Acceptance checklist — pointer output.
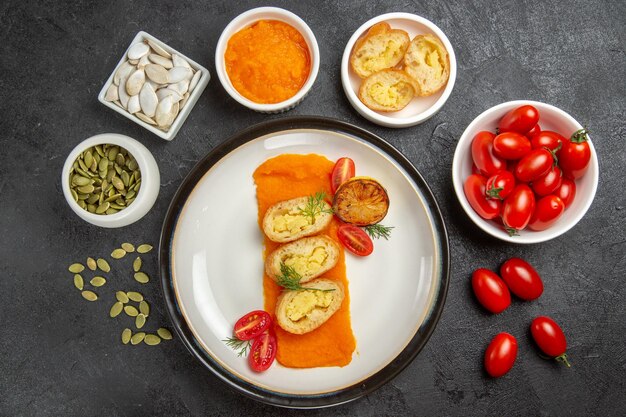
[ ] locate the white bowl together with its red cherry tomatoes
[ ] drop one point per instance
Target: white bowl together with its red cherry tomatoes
(525, 171)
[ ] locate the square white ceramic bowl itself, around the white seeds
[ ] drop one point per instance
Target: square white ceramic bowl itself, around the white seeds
(182, 115)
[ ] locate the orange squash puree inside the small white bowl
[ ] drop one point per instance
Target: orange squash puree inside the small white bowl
(267, 62)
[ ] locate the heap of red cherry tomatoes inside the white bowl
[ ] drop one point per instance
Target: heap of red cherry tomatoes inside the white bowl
(524, 175)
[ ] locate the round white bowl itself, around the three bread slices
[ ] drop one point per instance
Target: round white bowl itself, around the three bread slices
(419, 109)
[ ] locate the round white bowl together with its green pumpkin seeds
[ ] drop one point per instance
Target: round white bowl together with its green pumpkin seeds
(110, 180)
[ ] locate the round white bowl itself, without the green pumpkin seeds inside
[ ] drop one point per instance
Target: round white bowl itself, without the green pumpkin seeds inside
(148, 192)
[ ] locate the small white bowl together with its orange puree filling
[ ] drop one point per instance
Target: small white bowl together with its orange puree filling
(267, 59)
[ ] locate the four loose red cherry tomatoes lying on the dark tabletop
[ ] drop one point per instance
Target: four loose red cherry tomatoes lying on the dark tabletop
(493, 292)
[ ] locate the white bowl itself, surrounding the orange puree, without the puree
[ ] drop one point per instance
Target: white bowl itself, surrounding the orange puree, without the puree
(246, 19)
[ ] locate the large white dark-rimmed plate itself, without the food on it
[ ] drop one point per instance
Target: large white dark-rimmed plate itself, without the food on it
(212, 265)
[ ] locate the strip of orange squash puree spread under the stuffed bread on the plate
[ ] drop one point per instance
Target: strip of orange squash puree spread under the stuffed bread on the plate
(282, 178)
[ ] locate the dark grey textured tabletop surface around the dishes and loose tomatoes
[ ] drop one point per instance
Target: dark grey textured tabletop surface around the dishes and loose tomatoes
(60, 355)
